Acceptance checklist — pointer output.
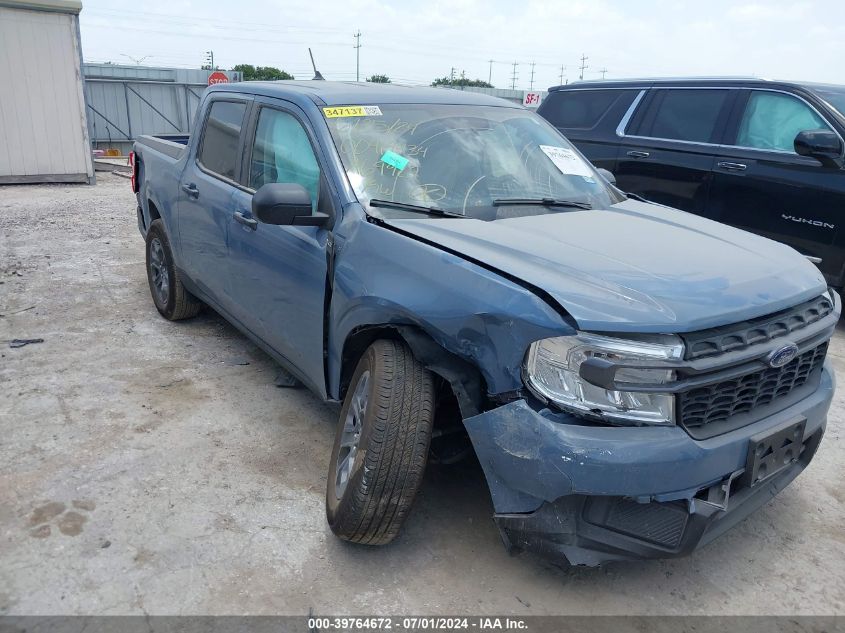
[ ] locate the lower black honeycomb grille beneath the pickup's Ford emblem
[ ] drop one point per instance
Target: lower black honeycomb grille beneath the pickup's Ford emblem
(720, 401)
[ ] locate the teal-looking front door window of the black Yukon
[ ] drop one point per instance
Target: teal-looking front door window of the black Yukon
(772, 120)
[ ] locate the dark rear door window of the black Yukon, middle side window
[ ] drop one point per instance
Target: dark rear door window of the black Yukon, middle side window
(684, 115)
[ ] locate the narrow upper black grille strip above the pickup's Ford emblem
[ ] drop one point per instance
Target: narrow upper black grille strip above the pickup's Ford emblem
(741, 335)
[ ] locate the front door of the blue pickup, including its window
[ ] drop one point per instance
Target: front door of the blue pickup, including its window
(277, 274)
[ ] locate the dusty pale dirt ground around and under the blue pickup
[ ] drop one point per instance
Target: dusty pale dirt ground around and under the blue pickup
(153, 467)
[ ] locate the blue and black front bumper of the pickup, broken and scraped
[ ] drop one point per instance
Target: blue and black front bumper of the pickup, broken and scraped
(594, 494)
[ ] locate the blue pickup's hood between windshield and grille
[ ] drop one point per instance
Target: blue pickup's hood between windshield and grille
(635, 267)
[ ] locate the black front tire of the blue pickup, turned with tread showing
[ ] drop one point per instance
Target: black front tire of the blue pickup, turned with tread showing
(394, 435)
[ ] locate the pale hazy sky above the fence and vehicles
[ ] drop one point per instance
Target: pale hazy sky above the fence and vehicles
(415, 42)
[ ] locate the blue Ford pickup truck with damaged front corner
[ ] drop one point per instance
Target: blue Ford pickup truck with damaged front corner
(633, 379)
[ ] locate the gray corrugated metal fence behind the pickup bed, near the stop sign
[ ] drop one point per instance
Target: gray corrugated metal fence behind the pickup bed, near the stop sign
(125, 102)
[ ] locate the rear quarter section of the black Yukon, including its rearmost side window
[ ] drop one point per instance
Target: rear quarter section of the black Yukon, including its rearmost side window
(588, 118)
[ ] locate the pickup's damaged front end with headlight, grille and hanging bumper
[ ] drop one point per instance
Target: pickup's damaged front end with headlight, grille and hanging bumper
(648, 448)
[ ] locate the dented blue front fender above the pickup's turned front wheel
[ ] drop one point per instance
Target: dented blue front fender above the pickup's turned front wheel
(385, 278)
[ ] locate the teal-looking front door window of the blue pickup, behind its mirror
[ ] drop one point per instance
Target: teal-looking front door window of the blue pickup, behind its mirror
(282, 153)
